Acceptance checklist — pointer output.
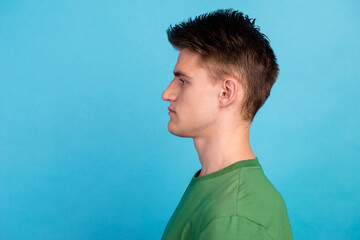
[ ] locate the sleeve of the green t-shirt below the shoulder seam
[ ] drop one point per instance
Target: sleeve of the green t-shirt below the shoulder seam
(234, 227)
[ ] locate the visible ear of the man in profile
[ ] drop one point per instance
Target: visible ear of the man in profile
(229, 91)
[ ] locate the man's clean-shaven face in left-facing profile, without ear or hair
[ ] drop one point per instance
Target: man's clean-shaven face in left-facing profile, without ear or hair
(193, 98)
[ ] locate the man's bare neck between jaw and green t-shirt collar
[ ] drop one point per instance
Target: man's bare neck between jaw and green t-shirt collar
(223, 147)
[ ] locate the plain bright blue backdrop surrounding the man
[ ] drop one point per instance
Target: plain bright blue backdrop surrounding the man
(84, 148)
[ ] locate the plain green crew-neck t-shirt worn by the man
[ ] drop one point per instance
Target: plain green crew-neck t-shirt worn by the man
(236, 202)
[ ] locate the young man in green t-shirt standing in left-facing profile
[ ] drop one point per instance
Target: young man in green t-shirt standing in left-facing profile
(223, 75)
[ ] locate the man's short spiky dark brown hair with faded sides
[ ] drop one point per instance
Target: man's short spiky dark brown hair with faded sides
(229, 43)
